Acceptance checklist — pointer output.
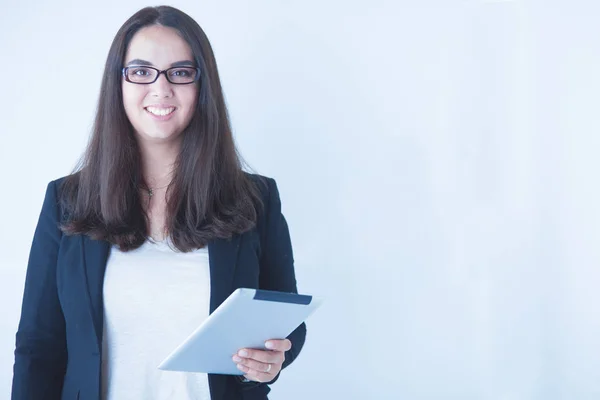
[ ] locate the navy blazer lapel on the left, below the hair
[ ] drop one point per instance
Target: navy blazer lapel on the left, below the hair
(95, 255)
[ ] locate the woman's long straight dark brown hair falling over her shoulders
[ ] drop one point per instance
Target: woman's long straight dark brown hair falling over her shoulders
(210, 195)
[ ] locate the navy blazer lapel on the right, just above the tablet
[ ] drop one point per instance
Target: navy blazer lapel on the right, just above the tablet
(222, 254)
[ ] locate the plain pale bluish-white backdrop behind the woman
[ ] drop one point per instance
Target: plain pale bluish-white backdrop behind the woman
(437, 166)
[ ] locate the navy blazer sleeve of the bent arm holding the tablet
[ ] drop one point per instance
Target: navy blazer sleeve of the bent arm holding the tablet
(277, 262)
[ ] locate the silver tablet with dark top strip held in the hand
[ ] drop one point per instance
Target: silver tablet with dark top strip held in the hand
(246, 319)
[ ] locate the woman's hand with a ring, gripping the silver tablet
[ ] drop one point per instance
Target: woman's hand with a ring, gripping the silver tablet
(262, 365)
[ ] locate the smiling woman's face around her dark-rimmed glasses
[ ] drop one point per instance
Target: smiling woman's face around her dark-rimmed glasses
(159, 111)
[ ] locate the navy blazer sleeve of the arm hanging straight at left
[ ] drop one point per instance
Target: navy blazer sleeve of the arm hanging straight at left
(41, 354)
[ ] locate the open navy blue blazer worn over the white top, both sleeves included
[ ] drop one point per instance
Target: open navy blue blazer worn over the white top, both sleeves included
(59, 338)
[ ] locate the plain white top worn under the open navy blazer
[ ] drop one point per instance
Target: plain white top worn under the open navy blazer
(154, 298)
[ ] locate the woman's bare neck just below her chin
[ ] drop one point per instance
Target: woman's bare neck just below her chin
(158, 161)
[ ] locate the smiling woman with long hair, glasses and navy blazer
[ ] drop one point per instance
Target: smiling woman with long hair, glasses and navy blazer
(154, 230)
